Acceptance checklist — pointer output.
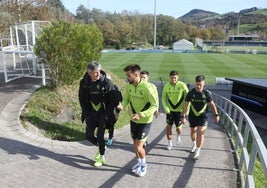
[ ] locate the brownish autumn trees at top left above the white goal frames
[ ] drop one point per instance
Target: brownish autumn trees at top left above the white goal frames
(16, 11)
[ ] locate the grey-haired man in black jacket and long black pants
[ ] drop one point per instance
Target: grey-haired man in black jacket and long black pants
(96, 101)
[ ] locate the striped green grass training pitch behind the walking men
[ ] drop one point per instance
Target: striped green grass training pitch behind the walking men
(212, 65)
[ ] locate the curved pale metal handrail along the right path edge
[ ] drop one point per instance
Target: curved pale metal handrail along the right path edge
(240, 129)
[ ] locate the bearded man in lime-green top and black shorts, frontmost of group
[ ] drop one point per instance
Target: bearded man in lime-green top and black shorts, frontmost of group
(143, 105)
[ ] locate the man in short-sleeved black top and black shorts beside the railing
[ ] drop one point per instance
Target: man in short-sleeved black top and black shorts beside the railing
(198, 98)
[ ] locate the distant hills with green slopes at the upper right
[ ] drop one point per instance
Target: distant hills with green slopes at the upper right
(247, 19)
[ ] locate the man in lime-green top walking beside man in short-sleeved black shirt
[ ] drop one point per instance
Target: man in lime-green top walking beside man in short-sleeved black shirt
(173, 95)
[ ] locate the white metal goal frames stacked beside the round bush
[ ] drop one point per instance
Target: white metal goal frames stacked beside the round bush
(18, 57)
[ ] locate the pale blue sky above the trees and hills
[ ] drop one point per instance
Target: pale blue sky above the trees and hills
(175, 8)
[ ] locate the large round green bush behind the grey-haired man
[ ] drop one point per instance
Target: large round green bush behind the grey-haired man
(66, 49)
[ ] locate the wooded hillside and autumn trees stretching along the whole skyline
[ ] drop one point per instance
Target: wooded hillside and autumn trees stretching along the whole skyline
(133, 29)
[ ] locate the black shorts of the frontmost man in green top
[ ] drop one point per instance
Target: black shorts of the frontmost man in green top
(140, 131)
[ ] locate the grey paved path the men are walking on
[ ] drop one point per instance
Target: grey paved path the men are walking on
(28, 160)
